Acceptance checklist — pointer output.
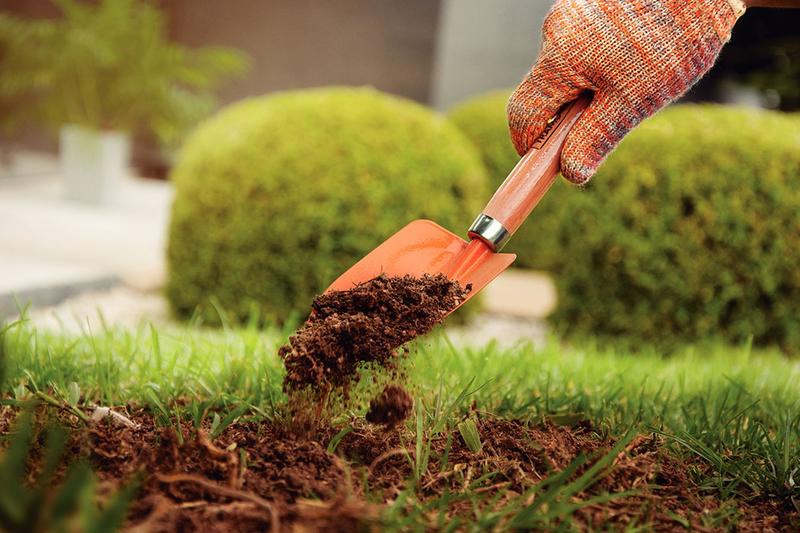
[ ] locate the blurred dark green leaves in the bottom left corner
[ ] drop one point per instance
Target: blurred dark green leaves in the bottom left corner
(44, 505)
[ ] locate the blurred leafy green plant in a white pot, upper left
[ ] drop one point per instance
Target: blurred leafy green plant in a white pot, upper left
(101, 73)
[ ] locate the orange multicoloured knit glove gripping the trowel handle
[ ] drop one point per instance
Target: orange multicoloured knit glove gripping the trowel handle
(636, 55)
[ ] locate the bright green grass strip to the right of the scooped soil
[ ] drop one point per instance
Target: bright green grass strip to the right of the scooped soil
(736, 408)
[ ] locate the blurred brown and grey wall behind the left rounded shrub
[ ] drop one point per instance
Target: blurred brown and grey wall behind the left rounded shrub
(433, 51)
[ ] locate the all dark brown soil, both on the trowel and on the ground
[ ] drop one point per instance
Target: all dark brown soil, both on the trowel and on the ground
(266, 475)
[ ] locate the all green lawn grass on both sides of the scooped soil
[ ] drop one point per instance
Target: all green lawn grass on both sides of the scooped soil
(736, 408)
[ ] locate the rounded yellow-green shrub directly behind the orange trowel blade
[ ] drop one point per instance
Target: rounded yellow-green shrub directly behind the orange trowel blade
(276, 196)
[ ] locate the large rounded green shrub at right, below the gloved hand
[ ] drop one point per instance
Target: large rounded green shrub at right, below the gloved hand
(690, 230)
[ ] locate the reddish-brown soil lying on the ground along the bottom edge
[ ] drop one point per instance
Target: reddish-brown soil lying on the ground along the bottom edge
(258, 476)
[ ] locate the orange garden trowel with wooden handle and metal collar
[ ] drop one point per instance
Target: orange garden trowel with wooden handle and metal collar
(424, 247)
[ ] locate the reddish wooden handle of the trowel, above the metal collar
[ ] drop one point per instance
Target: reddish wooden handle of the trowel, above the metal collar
(536, 171)
